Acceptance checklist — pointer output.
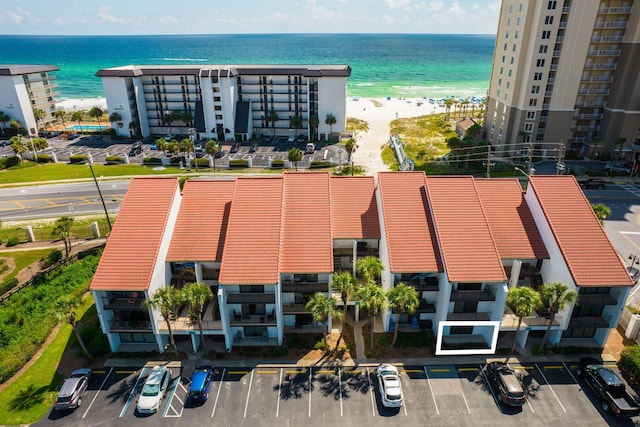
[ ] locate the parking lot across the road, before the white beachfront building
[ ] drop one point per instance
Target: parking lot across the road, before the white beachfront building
(274, 148)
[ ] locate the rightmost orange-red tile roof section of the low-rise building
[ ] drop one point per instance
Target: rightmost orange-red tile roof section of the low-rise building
(587, 250)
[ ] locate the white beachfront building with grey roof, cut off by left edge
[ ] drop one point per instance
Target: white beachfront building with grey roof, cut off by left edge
(25, 89)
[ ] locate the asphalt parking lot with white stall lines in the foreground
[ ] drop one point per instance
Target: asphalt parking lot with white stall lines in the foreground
(445, 395)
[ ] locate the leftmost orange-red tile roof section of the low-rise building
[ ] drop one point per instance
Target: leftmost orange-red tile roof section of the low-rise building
(133, 246)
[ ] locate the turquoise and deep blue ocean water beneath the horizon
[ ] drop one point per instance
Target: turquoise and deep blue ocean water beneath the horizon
(383, 65)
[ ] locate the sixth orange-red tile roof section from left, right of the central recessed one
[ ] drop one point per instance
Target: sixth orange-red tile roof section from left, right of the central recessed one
(407, 222)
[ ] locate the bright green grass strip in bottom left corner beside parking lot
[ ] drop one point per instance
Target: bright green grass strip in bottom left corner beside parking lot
(29, 398)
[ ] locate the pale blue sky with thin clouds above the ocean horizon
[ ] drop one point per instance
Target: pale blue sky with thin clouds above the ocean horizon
(92, 17)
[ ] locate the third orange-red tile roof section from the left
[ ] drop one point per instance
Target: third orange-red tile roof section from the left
(252, 245)
